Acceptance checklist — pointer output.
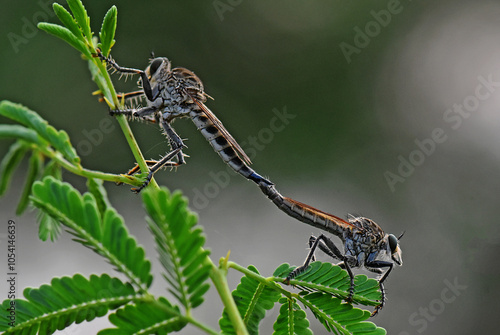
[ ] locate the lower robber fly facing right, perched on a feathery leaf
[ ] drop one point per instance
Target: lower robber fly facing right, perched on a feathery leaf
(365, 243)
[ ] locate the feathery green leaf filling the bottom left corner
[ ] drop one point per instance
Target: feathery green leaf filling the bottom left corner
(64, 302)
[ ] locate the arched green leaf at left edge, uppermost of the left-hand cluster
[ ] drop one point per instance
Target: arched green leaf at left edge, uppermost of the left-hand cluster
(58, 139)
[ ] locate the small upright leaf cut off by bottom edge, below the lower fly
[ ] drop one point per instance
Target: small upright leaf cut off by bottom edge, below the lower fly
(292, 320)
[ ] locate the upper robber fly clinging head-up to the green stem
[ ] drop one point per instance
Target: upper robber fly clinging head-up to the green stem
(176, 93)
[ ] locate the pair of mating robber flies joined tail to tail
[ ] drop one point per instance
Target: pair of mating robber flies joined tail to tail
(172, 93)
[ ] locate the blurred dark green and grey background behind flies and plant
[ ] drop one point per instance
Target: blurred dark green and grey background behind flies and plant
(366, 85)
